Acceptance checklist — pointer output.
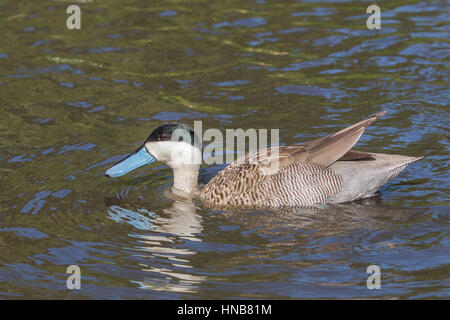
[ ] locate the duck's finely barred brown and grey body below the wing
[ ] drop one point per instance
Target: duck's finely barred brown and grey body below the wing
(303, 183)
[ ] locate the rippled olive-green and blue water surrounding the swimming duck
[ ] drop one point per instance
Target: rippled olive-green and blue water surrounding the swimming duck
(74, 102)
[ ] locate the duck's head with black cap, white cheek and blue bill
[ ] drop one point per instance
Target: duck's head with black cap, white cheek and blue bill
(174, 144)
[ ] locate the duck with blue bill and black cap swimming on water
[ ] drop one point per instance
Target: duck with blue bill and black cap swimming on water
(326, 170)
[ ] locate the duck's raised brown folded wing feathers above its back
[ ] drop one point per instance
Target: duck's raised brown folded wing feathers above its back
(323, 151)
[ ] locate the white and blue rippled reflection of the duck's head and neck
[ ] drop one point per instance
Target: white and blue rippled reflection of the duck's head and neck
(169, 262)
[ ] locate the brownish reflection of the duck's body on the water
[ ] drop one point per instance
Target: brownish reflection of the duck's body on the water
(324, 220)
